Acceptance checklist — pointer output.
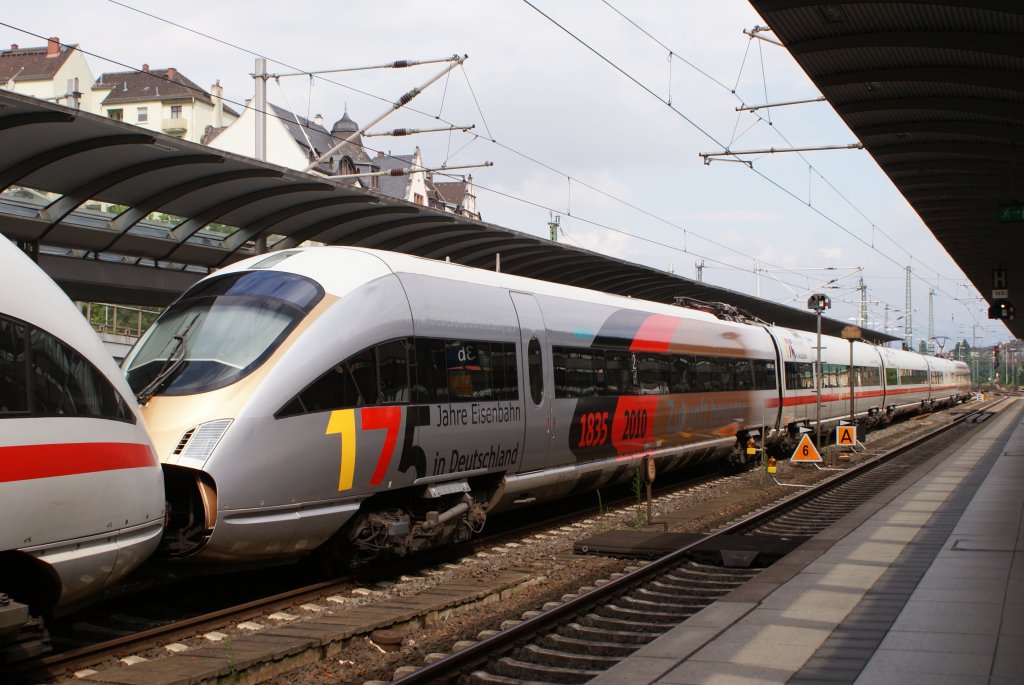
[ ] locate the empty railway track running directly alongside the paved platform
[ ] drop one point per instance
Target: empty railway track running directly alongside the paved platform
(575, 640)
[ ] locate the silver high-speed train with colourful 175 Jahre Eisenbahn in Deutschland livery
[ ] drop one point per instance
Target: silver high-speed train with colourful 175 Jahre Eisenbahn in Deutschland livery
(370, 404)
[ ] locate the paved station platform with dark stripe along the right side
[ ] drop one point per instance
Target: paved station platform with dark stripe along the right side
(923, 584)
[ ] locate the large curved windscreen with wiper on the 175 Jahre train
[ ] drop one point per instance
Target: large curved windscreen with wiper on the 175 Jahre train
(219, 332)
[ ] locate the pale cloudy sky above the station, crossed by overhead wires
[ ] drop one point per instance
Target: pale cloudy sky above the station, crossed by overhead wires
(593, 111)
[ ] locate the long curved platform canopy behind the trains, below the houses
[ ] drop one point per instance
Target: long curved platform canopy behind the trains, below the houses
(222, 203)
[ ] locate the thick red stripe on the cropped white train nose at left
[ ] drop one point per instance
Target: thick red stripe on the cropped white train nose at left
(48, 461)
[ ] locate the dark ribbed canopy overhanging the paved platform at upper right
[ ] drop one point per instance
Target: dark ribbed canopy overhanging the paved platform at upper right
(935, 92)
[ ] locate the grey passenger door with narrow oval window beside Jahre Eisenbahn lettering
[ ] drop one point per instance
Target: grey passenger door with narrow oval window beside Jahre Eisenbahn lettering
(538, 391)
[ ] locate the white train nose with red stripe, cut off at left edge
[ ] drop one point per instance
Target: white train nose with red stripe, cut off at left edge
(81, 489)
